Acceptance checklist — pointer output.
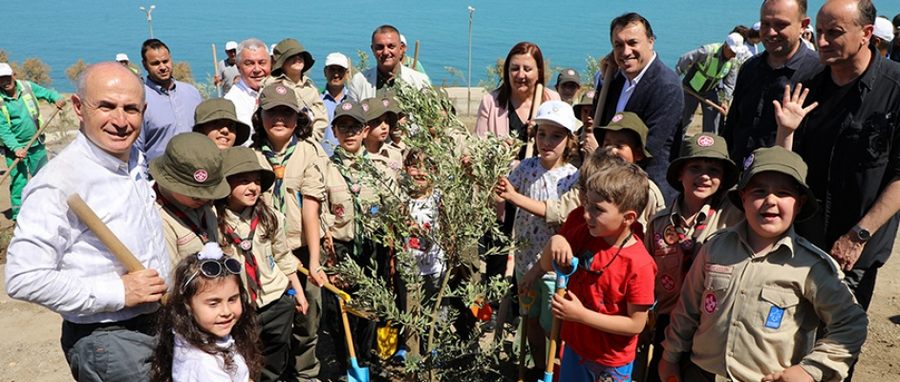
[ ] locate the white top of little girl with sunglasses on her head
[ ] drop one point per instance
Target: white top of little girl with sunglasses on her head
(190, 364)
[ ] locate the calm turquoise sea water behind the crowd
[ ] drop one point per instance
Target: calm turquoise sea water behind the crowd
(61, 32)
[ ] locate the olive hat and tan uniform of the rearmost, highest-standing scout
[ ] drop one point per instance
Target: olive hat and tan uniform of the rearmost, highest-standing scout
(306, 93)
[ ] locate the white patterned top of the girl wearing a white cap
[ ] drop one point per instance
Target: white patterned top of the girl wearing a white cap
(534, 181)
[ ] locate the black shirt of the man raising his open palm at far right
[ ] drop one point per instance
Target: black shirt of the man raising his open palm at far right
(851, 143)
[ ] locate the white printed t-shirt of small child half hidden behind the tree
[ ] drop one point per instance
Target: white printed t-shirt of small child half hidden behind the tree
(429, 256)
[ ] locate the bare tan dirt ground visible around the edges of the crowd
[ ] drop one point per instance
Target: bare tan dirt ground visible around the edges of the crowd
(30, 333)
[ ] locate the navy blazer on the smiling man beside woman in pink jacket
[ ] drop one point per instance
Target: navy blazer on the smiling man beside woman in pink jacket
(659, 100)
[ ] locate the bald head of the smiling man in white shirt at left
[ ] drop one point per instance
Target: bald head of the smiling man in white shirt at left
(109, 103)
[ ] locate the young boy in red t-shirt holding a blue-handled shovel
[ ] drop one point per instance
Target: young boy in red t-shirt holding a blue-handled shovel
(608, 297)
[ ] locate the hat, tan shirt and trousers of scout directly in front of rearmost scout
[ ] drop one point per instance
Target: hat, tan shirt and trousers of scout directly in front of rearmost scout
(298, 174)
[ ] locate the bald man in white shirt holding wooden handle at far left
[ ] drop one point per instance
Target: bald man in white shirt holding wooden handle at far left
(55, 261)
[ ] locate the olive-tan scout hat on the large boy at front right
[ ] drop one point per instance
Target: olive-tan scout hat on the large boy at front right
(777, 159)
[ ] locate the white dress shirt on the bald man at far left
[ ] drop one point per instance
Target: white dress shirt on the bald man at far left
(55, 261)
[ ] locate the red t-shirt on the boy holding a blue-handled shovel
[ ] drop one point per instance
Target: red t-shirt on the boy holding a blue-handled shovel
(630, 278)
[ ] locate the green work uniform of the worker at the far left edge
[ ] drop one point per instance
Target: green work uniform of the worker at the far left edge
(17, 127)
